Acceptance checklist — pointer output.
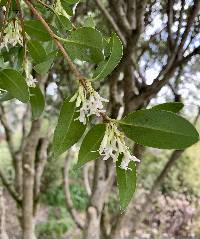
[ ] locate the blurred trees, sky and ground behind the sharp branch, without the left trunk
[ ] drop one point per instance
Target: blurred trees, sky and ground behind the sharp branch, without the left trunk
(161, 63)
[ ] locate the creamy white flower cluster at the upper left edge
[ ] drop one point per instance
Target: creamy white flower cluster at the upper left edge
(12, 35)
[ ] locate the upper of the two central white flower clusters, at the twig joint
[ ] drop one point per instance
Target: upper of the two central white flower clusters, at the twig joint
(89, 102)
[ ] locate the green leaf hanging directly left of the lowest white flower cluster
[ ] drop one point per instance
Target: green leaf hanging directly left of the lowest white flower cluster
(90, 145)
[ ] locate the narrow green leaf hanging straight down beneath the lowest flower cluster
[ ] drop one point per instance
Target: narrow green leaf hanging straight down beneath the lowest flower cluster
(126, 181)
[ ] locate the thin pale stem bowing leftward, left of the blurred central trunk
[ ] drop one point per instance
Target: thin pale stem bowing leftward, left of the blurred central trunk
(69, 203)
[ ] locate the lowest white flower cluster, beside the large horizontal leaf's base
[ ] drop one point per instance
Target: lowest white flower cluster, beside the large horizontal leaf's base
(113, 145)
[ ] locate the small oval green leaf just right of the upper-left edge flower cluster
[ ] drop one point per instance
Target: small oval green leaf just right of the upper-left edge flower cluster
(36, 51)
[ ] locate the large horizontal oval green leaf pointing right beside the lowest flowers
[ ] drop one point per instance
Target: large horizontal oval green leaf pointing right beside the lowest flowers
(159, 129)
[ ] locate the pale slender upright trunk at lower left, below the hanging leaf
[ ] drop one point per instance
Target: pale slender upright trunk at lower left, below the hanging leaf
(28, 180)
